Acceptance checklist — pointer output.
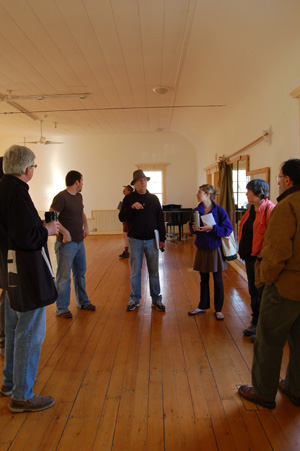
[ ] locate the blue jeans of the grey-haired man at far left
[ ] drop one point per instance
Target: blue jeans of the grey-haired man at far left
(25, 333)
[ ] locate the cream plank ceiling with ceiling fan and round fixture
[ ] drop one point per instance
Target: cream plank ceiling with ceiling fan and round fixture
(118, 50)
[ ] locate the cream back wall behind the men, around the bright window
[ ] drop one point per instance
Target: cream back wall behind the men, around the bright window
(107, 163)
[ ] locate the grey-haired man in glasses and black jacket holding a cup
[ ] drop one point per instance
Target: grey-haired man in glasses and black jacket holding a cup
(21, 229)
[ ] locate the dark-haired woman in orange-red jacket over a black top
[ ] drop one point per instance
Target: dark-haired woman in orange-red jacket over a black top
(252, 228)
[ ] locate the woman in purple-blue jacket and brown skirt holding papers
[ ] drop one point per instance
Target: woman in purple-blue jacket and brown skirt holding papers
(209, 257)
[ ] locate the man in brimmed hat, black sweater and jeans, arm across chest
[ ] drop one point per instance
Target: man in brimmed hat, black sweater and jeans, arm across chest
(143, 213)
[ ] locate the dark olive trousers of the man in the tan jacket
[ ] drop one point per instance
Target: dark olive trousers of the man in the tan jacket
(279, 321)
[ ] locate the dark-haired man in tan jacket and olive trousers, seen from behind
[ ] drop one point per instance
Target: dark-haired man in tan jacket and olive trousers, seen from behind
(279, 319)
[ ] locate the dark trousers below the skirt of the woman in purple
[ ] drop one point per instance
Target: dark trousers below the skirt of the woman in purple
(218, 291)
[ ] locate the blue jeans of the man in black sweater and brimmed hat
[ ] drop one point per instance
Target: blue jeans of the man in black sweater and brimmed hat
(137, 250)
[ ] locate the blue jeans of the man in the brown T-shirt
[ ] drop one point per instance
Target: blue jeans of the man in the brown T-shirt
(70, 256)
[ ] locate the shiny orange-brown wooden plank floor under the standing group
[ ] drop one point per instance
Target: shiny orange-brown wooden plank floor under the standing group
(146, 380)
